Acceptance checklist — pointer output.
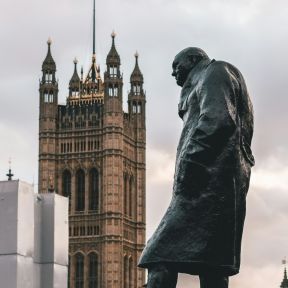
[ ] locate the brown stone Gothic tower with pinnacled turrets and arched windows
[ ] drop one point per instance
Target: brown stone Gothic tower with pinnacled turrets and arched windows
(94, 153)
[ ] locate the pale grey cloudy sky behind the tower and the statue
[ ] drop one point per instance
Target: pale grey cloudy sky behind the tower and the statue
(251, 34)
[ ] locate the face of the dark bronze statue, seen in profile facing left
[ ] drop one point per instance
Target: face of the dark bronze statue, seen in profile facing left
(181, 67)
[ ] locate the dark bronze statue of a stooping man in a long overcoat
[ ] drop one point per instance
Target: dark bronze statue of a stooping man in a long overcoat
(201, 232)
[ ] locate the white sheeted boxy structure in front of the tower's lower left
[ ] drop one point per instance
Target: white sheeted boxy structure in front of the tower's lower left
(33, 237)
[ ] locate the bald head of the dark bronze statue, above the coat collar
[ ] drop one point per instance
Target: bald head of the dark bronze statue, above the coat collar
(185, 61)
